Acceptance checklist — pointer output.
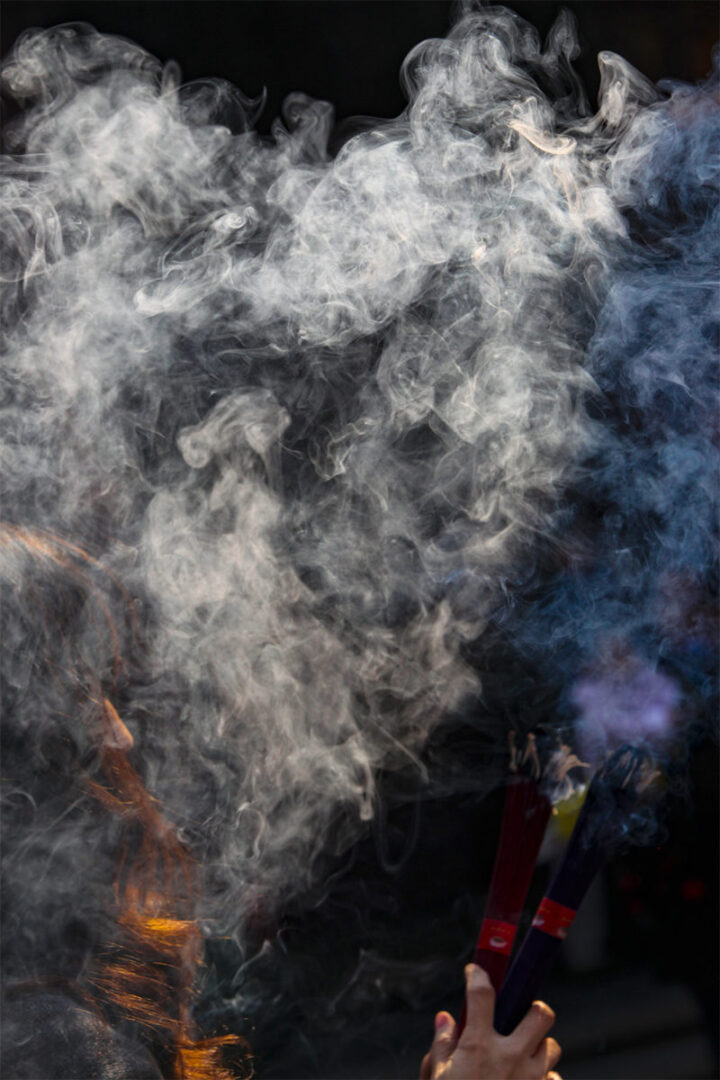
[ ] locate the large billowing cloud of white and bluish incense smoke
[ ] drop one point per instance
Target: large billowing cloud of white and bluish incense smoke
(333, 428)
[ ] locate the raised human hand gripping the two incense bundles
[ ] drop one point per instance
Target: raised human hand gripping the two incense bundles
(483, 1055)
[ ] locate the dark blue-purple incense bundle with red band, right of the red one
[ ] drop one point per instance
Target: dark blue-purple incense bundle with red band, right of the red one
(610, 798)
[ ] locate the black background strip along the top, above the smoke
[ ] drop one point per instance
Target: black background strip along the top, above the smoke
(350, 52)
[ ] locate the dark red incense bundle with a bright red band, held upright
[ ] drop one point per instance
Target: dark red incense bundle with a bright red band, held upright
(525, 819)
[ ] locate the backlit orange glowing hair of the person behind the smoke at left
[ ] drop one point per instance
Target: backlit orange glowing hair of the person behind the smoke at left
(146, 975)
